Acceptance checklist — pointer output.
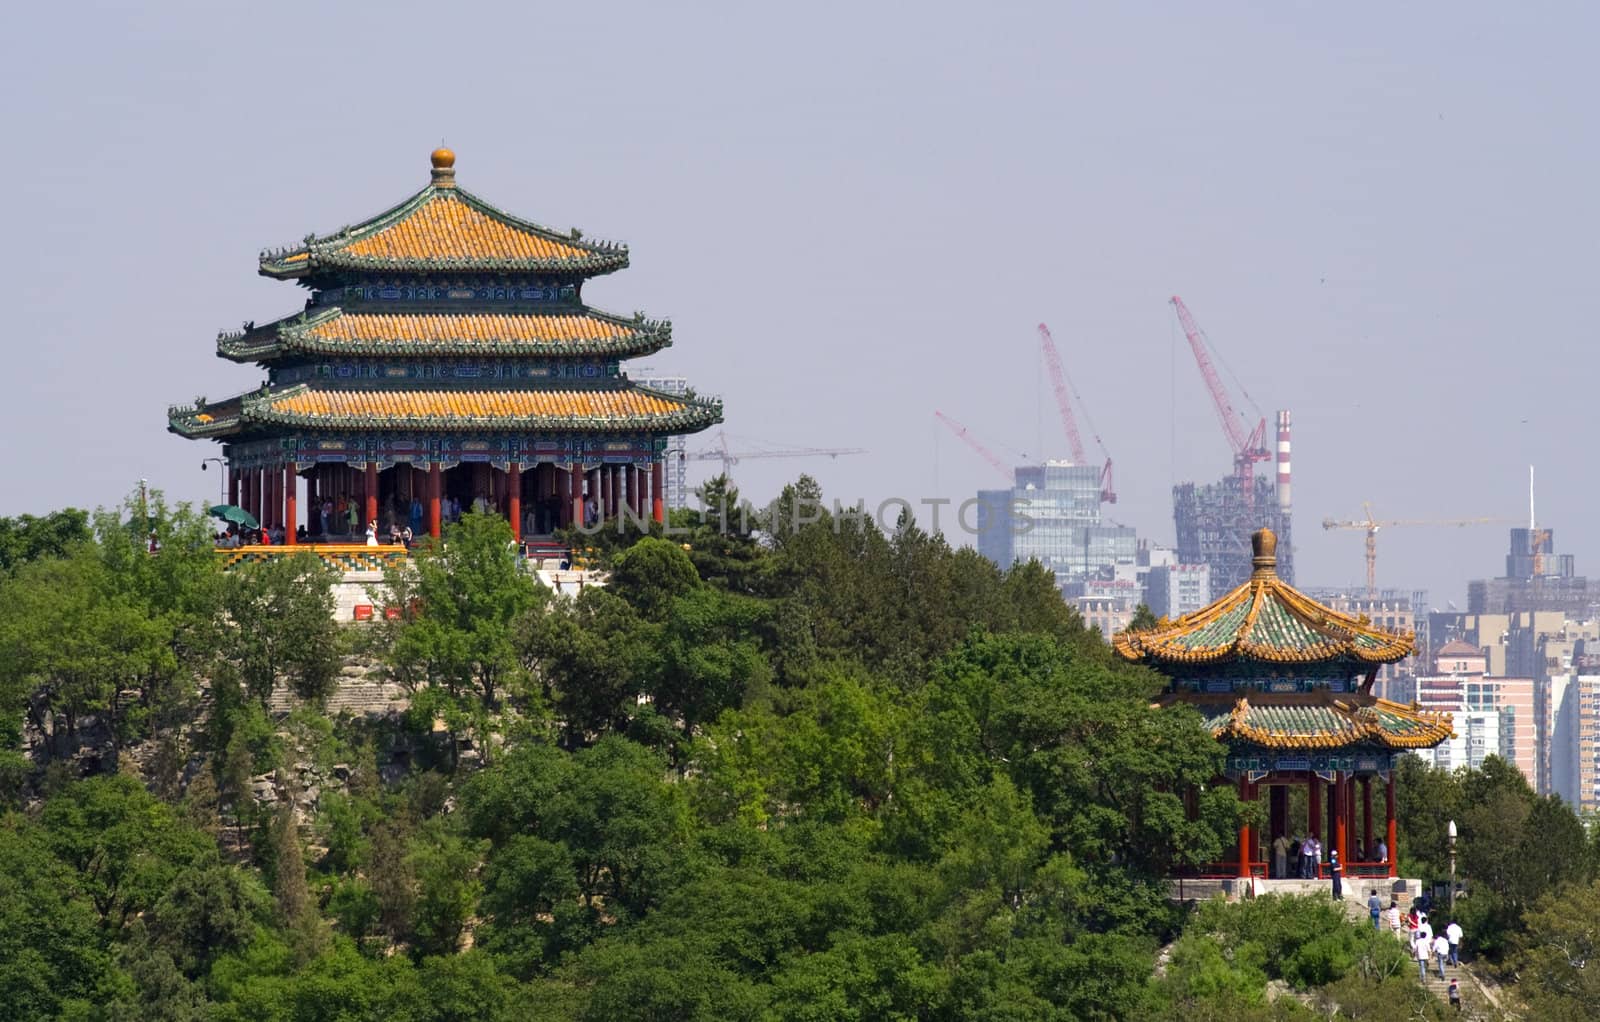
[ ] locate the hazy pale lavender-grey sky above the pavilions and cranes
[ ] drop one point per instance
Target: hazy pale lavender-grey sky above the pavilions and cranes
(1385, 217)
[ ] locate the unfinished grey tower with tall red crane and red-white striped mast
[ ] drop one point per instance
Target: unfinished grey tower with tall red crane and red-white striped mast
(1215, 522)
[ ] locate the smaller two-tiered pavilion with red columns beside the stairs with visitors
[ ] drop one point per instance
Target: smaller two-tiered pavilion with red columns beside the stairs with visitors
(1286, 684)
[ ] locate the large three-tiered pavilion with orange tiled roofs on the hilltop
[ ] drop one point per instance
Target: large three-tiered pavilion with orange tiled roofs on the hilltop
(446, 356)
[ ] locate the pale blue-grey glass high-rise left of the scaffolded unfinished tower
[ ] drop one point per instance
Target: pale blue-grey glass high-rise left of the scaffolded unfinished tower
(1054, 516)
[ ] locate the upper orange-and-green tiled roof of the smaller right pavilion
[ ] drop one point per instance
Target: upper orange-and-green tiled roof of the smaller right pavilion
(1266, 621)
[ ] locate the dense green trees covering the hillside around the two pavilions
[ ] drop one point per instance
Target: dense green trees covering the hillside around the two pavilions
(793, 768)
